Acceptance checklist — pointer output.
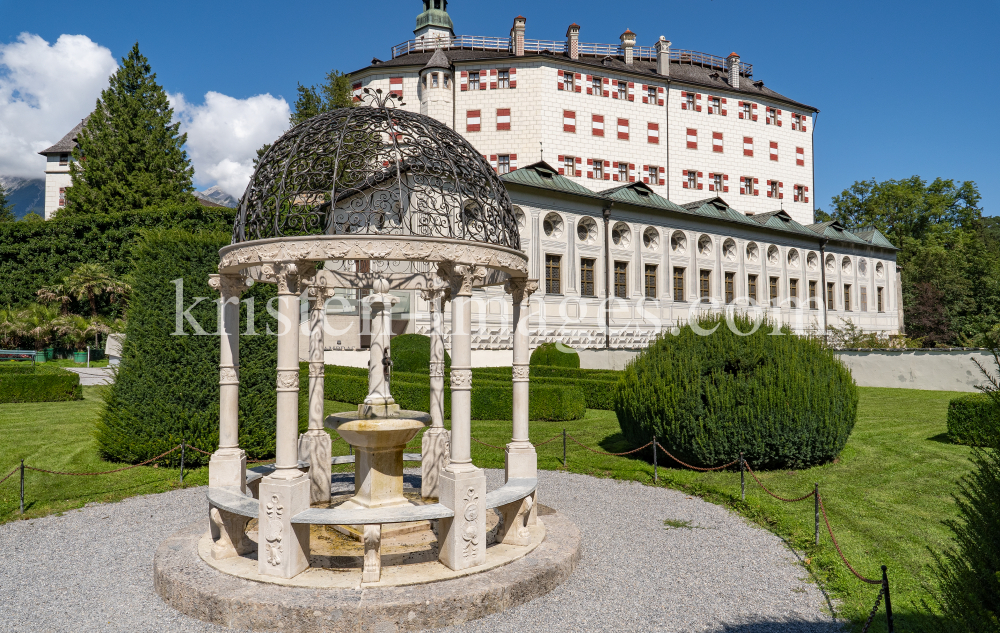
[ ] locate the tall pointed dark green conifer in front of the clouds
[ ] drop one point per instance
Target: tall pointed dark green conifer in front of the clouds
(130, 152)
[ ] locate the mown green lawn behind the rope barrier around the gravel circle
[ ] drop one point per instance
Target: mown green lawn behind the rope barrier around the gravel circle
(886, 495)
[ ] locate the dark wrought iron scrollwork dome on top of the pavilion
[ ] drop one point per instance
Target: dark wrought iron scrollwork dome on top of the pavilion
(375, 170)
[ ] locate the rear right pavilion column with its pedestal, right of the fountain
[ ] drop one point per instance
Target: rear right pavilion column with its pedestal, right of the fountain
(435, 446)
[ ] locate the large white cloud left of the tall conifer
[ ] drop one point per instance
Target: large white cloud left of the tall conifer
(45, 89)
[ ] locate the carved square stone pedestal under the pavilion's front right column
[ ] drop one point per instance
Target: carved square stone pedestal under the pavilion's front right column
(462, 539)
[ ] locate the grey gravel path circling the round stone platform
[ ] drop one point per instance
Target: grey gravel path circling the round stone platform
(91, 569)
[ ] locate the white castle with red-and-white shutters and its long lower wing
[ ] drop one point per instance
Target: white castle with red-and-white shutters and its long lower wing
(652, 184)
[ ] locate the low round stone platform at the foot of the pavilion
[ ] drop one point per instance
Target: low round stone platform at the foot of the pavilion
(187, 583)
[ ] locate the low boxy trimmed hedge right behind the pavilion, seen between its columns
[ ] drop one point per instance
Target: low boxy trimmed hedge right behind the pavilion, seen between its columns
(490, 400)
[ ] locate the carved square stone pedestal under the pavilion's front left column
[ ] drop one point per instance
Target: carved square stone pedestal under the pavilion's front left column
(283, 548)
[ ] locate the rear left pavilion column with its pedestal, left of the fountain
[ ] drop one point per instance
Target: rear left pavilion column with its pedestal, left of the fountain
(315, 445)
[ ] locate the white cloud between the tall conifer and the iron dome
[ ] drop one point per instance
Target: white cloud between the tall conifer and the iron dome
(224, 134)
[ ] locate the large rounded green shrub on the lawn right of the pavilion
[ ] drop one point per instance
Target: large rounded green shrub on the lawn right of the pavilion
(781, 399)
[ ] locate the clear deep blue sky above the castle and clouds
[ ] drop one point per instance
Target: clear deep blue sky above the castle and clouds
(903, 88)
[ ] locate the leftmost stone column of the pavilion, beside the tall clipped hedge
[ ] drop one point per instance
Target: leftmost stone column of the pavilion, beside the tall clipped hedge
(227, 466)
